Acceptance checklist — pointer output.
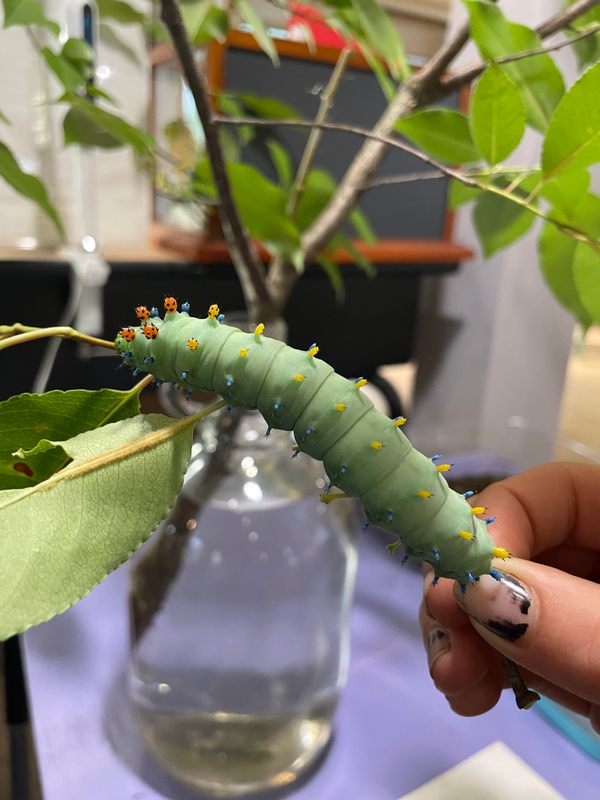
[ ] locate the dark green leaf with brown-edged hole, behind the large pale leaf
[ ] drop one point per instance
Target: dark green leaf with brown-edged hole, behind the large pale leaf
(24, 419)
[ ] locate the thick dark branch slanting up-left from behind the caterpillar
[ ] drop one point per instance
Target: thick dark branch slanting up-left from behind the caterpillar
(248, 266)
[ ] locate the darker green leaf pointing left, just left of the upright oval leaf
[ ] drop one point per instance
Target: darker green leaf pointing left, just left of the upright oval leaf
(442, 133)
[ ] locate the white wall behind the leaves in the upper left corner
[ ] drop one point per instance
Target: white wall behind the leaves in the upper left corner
(123, 194)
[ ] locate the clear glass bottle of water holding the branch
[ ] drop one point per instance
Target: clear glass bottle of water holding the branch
(240, 611)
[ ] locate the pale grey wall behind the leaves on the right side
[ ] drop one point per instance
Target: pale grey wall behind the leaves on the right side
(494, 343)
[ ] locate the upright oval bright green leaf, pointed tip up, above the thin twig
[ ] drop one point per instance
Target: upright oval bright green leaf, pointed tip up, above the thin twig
(496, 115)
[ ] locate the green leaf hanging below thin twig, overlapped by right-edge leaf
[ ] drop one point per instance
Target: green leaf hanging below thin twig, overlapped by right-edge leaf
(556, 251)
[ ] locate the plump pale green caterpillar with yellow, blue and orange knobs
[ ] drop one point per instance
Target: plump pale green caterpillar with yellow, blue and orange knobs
(364, 453)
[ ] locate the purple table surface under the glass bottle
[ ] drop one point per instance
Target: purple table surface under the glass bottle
(394, 731)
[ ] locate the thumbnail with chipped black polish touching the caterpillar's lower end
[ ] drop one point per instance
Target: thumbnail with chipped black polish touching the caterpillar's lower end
(502, 604)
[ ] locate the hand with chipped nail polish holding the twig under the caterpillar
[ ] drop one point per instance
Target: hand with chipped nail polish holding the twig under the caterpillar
(544, 613)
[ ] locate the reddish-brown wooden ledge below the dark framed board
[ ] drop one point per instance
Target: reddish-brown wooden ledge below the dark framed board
(385, 251)
